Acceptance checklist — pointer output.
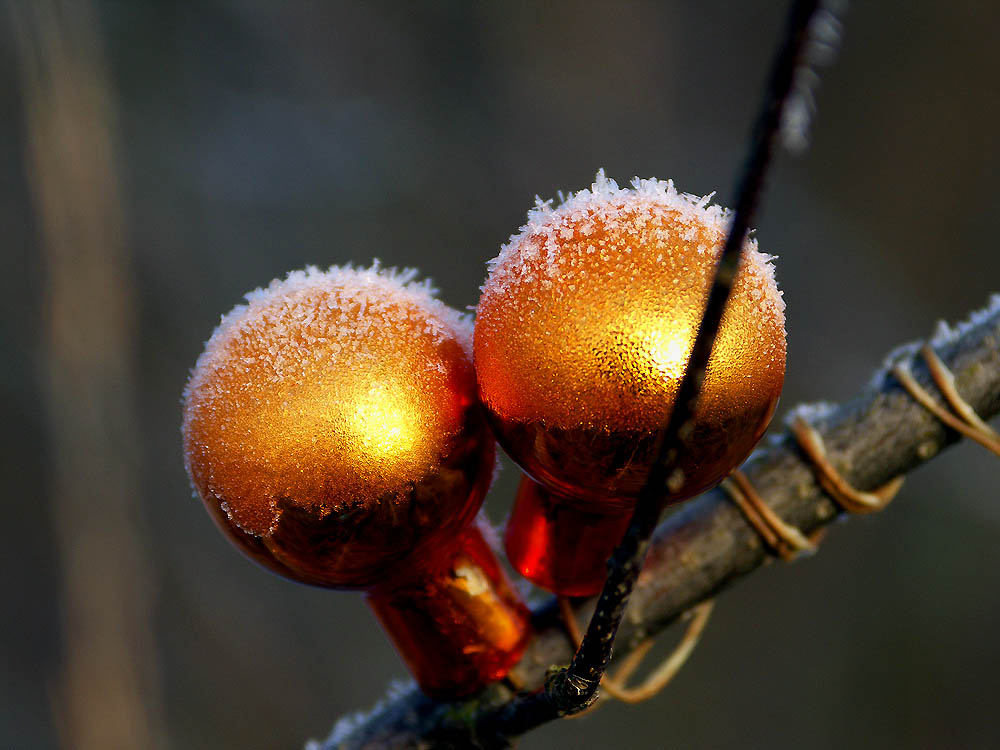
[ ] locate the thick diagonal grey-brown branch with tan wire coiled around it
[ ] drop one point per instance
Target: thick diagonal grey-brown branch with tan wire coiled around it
(708, 544)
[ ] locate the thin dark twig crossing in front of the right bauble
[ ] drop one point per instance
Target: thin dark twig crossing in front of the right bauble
(573, 689)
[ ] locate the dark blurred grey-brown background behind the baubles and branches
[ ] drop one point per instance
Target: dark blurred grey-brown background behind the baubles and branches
(160, 159)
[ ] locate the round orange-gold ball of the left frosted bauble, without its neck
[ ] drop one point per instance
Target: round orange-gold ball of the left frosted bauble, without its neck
(331, 425)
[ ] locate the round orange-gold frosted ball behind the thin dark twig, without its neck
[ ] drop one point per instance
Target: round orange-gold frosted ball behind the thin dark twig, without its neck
(585, 326)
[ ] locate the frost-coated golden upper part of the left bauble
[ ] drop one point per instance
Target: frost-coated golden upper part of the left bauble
(327, 390)
